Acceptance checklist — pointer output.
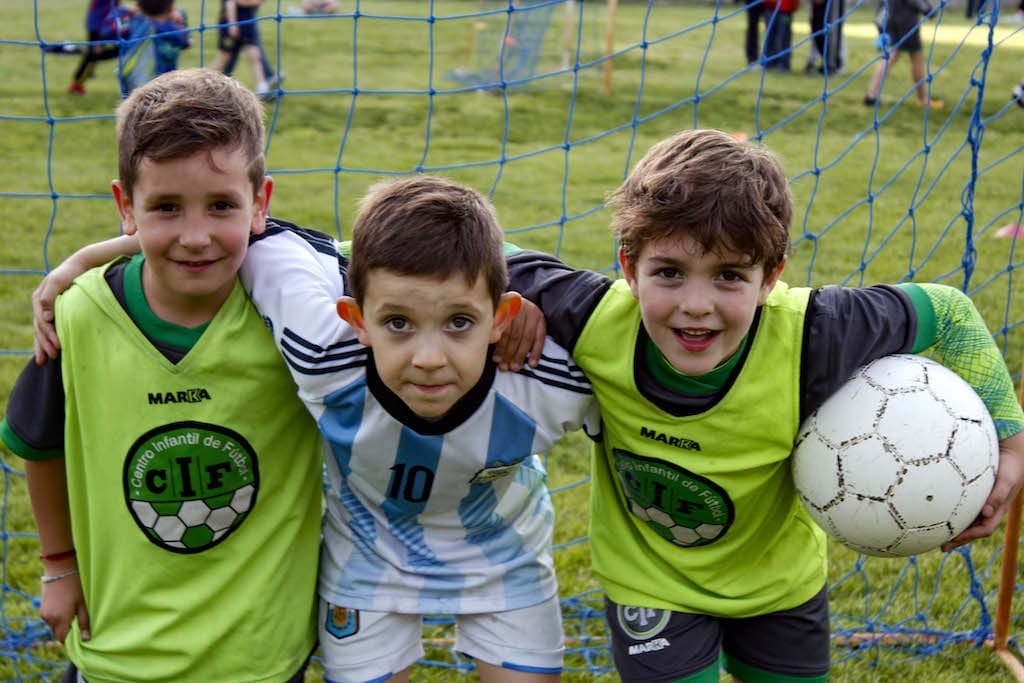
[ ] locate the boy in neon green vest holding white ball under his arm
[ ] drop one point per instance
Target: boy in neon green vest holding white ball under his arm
(698, 536)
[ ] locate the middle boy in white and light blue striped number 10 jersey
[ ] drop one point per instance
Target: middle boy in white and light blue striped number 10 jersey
(436, 500)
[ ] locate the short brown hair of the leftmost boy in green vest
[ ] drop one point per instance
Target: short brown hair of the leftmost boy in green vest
(184, 112)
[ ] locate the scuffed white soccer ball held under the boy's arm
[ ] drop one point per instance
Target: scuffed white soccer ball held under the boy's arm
(900, 460)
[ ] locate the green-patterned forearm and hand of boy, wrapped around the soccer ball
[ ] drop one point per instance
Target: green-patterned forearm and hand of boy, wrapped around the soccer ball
(964, 345)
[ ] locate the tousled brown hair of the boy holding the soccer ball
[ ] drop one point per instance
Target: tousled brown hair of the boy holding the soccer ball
(710, 187)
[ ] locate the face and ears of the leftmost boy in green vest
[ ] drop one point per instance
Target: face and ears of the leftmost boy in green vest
(194, 218)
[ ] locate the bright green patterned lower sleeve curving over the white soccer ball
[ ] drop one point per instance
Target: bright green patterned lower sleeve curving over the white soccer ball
(950, 323)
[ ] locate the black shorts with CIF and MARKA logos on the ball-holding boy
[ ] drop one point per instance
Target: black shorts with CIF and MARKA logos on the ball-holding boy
(657, 646)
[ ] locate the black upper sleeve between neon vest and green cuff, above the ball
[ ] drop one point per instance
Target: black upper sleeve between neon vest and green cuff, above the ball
(847, 328)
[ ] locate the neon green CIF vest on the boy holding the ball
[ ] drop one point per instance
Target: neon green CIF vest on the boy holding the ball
(699, 515)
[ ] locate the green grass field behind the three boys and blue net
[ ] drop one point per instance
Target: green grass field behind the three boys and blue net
(880, 197)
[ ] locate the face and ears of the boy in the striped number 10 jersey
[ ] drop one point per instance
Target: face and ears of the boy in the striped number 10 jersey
(430, 336)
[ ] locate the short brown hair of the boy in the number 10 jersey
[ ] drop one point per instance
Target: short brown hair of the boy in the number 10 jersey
(428, 226)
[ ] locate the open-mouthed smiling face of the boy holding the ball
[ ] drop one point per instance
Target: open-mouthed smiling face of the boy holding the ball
(697, 307)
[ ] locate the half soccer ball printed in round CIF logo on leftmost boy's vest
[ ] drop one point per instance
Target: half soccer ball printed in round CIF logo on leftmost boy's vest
(194, 525)
